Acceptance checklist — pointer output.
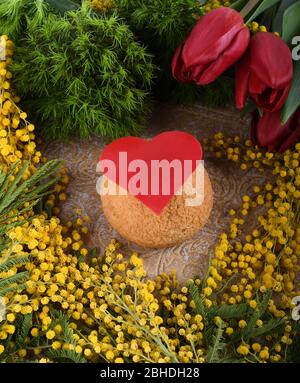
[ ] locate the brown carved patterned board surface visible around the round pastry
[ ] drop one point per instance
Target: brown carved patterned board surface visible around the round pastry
(228, 181)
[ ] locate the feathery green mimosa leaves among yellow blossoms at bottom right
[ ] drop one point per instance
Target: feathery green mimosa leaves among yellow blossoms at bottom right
(221, 349)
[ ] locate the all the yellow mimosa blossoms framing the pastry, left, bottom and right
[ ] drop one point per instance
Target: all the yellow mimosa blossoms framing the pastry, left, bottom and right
(114, 313)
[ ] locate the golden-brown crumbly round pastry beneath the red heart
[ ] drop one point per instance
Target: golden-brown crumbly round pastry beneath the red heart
(177, 222)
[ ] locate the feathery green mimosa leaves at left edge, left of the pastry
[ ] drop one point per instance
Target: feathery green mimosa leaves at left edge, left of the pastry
(17, 197)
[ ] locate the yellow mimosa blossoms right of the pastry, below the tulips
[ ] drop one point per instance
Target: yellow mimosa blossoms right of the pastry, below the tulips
(268, 257)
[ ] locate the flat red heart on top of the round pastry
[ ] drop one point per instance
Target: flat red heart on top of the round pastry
(174, 145)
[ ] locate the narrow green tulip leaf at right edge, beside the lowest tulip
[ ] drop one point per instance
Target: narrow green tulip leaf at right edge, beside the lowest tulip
(293, 100)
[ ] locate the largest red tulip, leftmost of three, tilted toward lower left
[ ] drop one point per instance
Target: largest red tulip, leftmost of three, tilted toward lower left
(216, 42)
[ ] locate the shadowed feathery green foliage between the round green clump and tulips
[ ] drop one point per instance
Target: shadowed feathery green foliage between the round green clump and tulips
(162, 25)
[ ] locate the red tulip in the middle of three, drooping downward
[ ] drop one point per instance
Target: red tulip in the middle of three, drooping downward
(265, 73)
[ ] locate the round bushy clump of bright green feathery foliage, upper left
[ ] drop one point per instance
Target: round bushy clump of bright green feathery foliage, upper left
(83, 74)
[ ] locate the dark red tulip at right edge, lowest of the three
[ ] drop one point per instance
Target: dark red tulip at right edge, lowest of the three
(268, 131)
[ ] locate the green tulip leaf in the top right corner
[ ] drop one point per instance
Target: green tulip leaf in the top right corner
(291, 22)
